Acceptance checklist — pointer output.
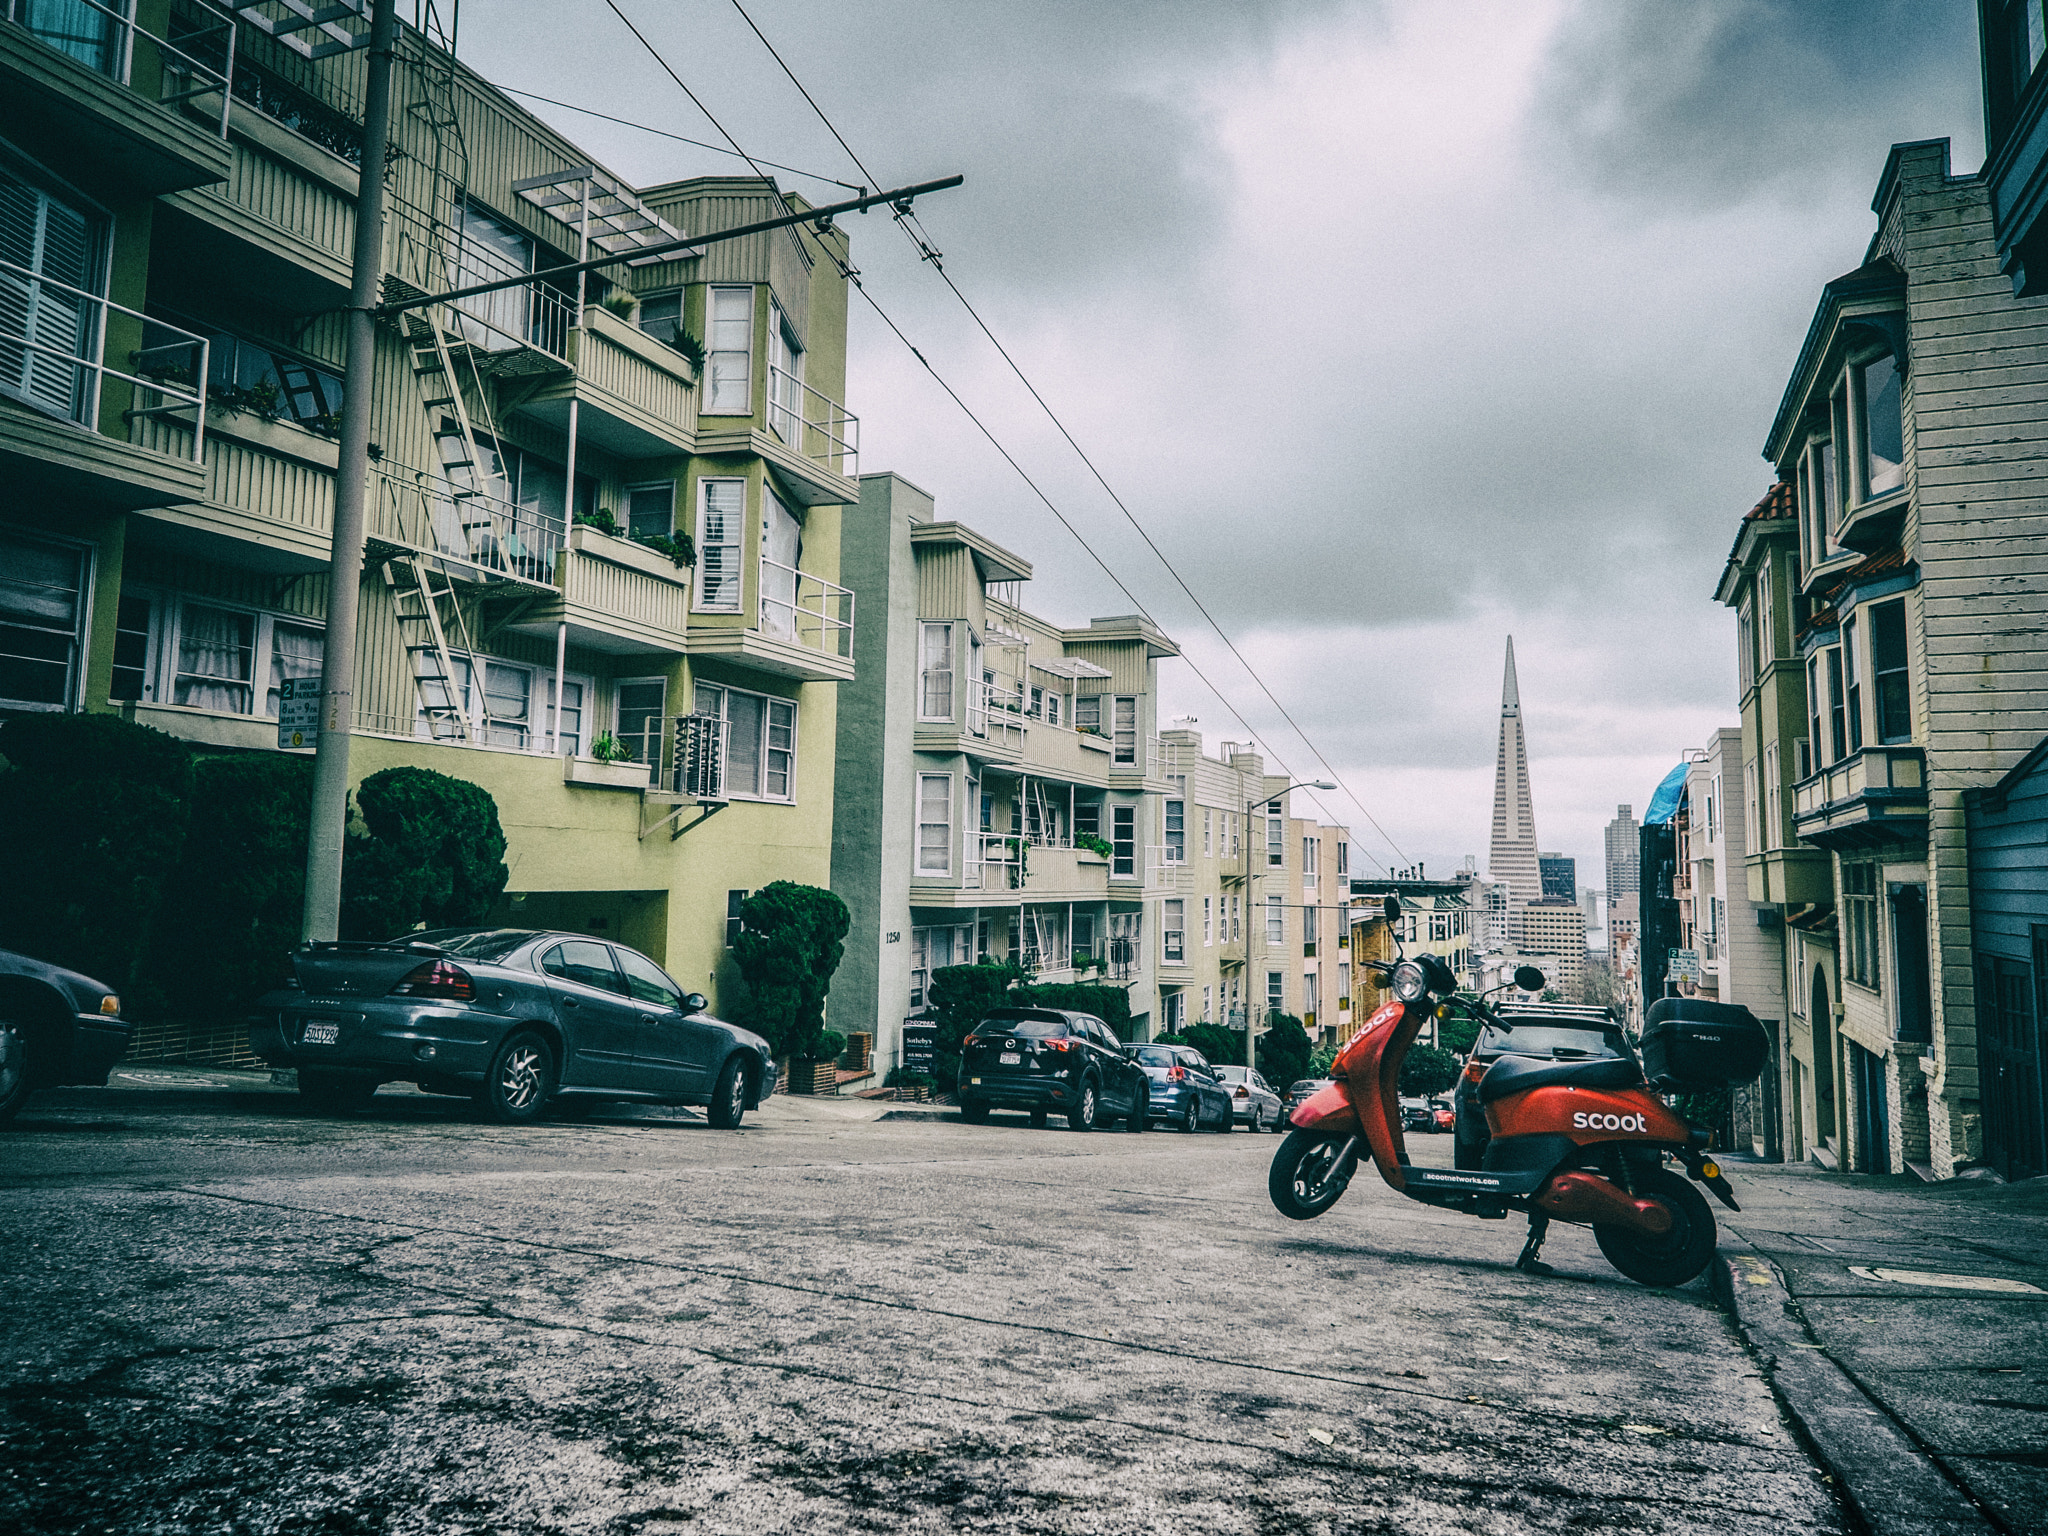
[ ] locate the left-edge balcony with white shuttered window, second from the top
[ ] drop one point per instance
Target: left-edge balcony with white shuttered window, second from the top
(58, 394)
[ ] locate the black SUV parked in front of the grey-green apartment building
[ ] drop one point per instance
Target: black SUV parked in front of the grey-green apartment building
(1046, 1060)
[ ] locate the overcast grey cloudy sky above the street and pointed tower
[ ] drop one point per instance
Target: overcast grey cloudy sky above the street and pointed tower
(1402, 327)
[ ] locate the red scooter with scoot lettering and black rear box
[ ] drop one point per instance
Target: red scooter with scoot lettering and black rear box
(1582, 1142)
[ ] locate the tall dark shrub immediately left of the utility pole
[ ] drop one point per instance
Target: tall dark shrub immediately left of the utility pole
(234, 904)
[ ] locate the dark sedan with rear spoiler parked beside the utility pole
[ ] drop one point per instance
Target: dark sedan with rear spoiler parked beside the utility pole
(517, 1019)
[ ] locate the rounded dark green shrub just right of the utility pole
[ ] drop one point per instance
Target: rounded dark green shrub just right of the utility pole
(431, 853)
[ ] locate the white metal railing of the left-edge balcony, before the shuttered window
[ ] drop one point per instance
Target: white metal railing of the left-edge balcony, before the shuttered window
(52, 355)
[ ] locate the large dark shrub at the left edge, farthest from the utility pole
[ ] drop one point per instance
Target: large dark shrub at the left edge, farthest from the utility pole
(93, 816)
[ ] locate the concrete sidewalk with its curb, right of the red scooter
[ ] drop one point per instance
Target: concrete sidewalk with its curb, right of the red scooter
(1906, 1326)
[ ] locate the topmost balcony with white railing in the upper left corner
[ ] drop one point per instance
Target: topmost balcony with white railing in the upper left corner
(93, 81)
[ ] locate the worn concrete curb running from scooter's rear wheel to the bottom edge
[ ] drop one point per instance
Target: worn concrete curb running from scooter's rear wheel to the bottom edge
(1879, 1469)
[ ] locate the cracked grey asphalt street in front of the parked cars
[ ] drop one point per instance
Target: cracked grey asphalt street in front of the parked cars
(230, 1316)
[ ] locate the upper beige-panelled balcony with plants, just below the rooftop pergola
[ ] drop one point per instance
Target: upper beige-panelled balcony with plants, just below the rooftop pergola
(636, 396)
